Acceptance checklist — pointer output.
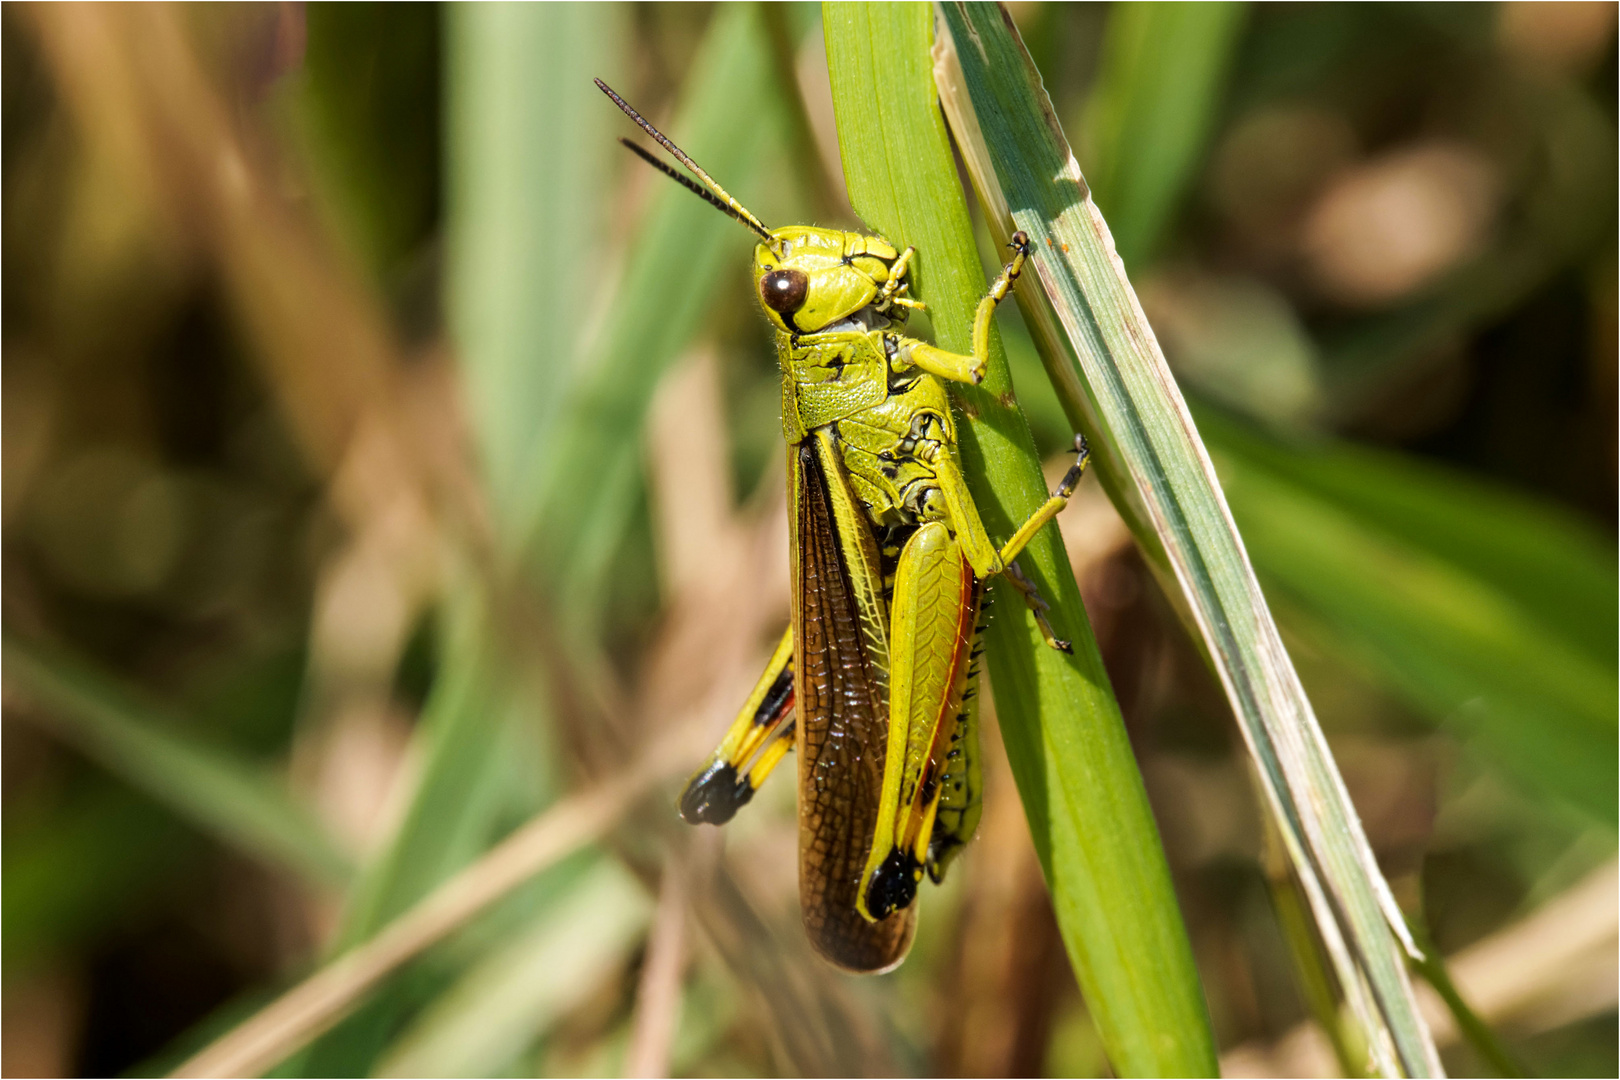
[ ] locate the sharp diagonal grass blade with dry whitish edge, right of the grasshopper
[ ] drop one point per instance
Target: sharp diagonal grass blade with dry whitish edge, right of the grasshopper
(1111, 375)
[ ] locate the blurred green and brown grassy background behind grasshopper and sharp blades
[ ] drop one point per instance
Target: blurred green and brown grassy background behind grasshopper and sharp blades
(388, 454)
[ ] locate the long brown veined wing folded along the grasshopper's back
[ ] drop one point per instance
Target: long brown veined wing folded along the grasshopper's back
(842, 660)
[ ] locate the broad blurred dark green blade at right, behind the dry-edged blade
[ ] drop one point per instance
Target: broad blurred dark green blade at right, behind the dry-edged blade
(1431, 623)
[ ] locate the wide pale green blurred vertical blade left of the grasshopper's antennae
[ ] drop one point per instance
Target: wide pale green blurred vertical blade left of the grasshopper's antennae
(529, 193)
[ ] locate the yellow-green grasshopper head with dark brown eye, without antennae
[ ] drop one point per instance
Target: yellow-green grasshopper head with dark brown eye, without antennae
(811, 278)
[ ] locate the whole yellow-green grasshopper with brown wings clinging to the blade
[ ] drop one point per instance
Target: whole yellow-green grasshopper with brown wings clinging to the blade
(874, 679)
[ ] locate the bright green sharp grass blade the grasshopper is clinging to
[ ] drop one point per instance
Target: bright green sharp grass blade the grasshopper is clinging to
(1081, 788)
